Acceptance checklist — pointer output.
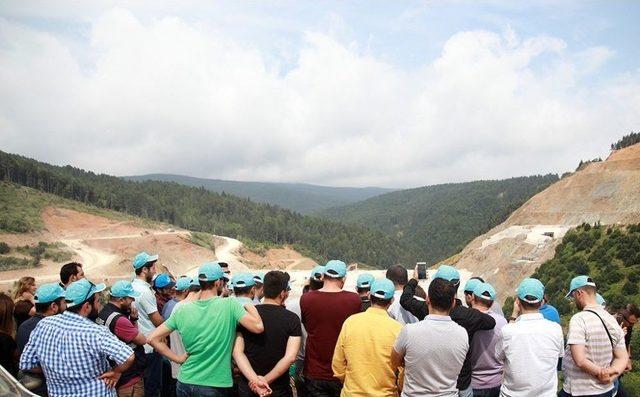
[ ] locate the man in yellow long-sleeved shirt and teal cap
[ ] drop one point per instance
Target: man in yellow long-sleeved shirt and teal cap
(362, 357)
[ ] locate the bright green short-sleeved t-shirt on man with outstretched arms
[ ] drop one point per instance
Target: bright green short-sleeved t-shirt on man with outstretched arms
(208, 329)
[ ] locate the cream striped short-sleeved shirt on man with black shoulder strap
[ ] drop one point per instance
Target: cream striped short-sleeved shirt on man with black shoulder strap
(586, 329)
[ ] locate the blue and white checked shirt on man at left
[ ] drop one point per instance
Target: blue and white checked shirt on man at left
(73, 351)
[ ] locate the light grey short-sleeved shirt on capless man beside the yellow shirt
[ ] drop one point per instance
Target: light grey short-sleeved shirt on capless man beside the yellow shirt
(434, 351)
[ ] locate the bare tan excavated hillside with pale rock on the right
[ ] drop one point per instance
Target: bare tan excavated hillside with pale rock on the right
(607, 192)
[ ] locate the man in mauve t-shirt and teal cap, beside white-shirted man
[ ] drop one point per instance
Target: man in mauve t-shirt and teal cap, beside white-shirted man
(486, 371)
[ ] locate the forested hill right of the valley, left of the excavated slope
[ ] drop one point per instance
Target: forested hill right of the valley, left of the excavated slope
(438, 221)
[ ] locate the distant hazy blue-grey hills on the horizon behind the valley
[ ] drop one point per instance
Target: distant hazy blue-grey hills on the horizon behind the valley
(300, 197)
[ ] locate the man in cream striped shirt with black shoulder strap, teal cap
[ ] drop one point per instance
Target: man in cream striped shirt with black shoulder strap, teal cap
(596, 353)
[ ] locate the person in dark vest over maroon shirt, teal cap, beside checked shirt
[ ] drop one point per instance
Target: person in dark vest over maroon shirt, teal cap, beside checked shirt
(119, 316)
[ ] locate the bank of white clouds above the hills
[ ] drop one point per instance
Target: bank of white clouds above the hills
(173, 96)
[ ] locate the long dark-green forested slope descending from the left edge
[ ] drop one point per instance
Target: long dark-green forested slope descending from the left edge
(201, 210)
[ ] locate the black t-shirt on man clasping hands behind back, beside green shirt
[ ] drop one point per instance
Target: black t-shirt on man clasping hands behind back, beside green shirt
(266, 349)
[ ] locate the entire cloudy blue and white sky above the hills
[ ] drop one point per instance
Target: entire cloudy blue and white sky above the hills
(340, 93)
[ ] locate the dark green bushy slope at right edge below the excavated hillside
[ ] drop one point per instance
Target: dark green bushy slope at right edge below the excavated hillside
(609, 254)
